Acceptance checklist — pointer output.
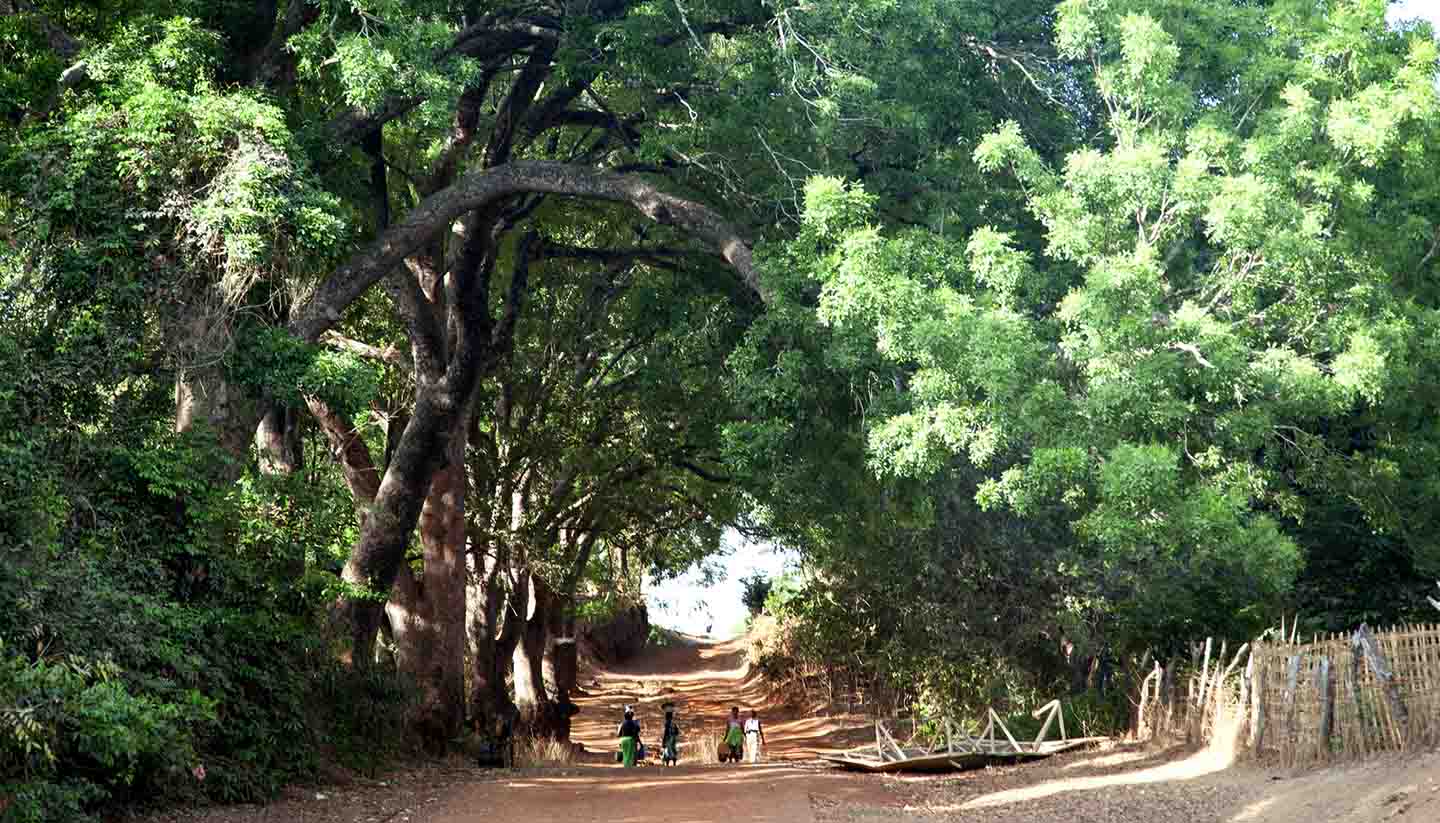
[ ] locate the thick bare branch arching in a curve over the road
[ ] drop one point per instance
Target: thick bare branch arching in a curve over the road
(490, 186)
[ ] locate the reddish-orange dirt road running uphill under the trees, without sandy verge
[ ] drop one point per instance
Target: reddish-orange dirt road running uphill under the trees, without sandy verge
(703, 680)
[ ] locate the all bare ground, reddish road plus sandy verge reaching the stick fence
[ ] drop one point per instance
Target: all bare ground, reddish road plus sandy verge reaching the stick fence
(1118, 785)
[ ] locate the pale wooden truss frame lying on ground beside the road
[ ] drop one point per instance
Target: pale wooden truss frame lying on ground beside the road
(960, 750)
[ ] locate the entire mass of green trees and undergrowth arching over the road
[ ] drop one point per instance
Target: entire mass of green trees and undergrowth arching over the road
(354, 350)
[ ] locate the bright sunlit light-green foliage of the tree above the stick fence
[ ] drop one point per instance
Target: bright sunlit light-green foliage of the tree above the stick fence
(1151, 370)
